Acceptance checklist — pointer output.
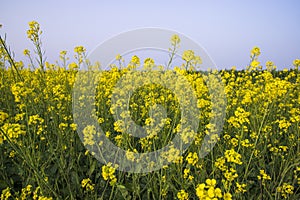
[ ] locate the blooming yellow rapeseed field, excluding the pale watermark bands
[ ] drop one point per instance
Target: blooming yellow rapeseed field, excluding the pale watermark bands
(256, 156)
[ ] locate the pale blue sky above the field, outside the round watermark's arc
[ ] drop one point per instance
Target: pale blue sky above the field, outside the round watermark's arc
(226, 29)
